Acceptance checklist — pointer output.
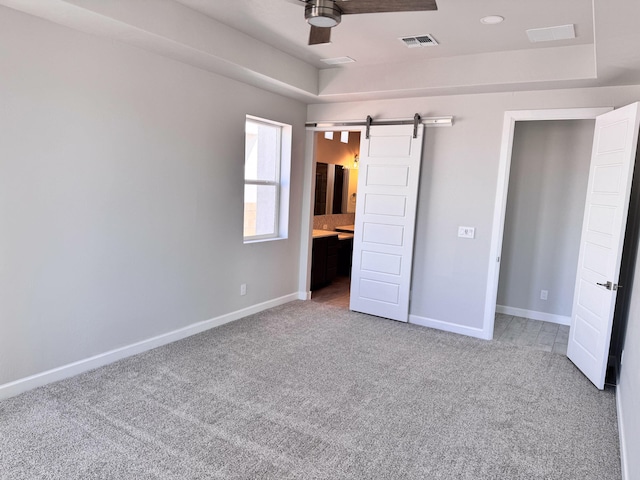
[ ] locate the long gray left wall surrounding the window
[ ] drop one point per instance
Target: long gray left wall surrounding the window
(121, 196)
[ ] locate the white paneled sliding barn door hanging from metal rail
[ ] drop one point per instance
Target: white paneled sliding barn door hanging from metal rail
(385, 221)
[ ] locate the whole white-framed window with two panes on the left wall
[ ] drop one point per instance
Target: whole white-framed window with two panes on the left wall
(267, 164)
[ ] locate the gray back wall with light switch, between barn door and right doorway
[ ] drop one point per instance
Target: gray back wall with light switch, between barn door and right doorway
(458, 187)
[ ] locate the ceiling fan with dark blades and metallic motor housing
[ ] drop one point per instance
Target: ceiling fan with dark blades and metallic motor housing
(323, 15)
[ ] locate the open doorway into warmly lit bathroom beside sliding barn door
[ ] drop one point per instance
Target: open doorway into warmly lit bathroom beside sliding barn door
(336, 155)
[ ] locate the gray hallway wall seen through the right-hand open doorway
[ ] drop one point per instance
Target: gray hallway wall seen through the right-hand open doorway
(545, 208)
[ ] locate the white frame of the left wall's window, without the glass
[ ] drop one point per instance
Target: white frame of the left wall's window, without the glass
(281, 182)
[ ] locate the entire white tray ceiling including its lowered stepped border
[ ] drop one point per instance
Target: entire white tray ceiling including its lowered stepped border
(264, 43)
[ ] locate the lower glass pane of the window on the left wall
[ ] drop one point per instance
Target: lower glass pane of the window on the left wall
(260, 202)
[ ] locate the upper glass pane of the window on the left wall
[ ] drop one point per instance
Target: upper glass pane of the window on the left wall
(262, 151)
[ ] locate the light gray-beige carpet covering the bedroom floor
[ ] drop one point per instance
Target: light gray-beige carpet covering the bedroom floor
(310, 391)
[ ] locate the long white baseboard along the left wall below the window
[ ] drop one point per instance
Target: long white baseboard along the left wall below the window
(21, 385)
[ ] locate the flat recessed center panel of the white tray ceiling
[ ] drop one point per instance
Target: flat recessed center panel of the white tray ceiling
(373, 38)
